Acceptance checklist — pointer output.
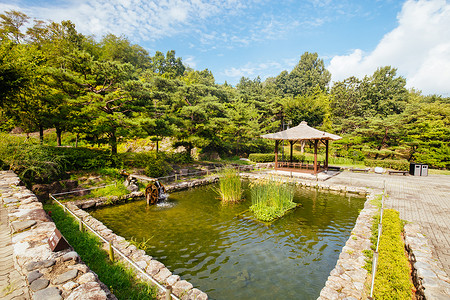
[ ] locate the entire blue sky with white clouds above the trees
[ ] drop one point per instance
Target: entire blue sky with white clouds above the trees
(250, 38)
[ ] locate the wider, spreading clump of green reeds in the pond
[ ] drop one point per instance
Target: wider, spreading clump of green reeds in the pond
(271, 198)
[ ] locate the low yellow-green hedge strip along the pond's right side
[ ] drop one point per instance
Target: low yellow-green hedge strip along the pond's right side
(392, 280)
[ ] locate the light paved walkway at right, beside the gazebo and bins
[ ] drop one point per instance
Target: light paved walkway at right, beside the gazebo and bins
(422, 200)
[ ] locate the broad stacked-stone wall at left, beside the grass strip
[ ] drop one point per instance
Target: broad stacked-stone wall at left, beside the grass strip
(50, 275)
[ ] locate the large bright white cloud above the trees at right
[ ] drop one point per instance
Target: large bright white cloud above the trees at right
(419, 48)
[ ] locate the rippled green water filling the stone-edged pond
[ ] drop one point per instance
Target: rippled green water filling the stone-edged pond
(204, 242)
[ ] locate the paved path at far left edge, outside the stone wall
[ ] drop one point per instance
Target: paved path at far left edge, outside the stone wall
(13, 285)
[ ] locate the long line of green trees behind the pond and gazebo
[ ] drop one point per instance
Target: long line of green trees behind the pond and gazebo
(107, 90)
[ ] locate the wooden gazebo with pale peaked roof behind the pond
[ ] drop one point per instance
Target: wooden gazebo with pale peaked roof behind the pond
(302, 132)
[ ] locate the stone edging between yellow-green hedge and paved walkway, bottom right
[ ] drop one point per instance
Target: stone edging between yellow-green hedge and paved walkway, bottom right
(429, 279)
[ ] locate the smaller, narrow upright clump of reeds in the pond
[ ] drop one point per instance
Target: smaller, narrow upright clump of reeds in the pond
(230, 186)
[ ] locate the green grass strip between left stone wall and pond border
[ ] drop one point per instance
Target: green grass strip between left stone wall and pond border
(121, 280)
